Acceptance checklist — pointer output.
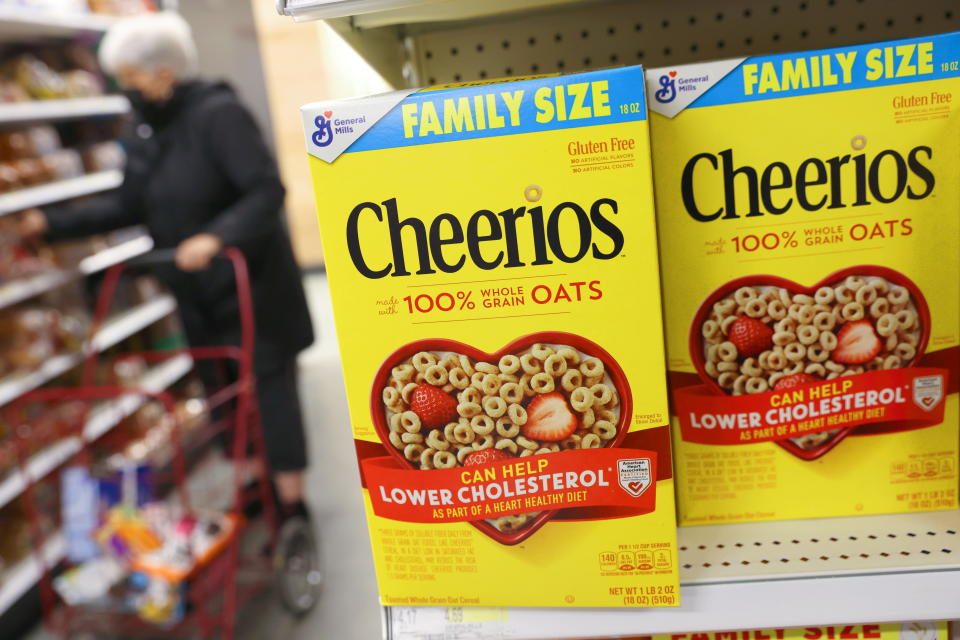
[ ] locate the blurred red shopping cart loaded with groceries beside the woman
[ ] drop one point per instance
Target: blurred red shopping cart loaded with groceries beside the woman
(209, 586)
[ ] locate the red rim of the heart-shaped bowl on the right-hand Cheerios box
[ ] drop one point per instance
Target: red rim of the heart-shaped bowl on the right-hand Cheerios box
(894, 277)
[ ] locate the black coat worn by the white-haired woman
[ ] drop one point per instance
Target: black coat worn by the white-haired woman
(203, 167)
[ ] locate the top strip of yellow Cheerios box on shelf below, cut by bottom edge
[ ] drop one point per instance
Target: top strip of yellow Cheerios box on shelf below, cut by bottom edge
(905, 631)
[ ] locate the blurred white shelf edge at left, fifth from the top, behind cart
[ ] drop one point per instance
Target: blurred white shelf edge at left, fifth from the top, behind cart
(101, 420)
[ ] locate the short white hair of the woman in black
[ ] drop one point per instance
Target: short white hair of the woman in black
(149, 42)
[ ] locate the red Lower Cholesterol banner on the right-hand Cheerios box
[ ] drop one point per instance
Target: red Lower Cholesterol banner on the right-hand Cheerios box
(904, 399)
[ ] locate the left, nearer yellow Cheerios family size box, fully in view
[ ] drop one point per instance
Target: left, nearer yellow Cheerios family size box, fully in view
(491, 252)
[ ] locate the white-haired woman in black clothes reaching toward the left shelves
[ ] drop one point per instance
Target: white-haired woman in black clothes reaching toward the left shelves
(200, 177)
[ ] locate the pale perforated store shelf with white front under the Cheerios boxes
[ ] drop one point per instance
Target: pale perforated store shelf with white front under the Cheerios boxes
(772, 574)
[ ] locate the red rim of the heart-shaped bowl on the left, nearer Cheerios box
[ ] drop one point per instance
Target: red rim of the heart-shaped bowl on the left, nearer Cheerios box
(581, 344)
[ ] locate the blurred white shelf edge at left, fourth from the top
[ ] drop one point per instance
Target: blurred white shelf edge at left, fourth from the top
(117, 329)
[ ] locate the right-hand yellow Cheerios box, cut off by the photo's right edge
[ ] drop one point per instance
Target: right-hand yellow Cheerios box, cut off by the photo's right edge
(809, 219)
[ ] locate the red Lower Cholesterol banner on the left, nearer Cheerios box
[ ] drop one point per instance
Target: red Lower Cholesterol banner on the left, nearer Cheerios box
(581, 478)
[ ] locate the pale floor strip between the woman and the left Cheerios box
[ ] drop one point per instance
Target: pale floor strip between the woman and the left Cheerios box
(348, 608)
